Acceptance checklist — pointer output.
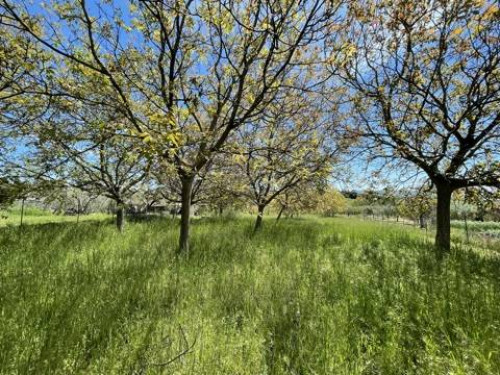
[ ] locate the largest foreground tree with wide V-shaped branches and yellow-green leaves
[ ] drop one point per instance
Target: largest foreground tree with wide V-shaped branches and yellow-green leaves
(196, 70)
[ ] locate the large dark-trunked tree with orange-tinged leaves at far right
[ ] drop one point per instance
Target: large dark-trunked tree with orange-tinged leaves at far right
(424, 84)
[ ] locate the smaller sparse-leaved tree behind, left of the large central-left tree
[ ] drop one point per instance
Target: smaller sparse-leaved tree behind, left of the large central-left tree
(82, 152)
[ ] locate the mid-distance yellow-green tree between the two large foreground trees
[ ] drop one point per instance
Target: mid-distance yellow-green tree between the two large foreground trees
(287, 146)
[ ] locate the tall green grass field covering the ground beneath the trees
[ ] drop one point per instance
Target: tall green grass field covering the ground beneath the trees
(310, 296)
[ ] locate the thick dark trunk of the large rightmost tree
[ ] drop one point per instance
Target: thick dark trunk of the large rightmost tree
(443, 230)
